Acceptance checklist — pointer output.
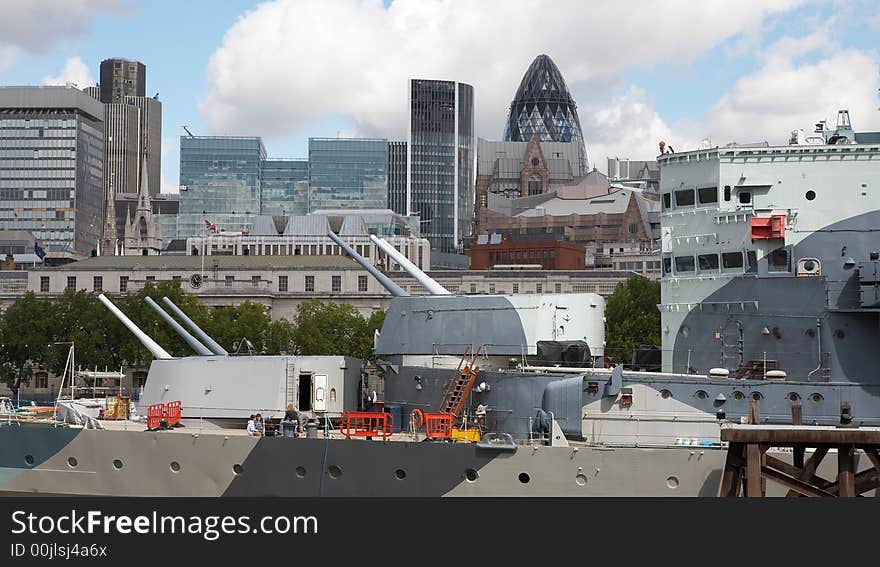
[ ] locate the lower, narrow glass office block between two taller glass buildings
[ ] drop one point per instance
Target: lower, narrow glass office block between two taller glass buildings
(284, 187)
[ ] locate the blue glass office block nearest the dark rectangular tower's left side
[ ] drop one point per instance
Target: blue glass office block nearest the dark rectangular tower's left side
(348, 173)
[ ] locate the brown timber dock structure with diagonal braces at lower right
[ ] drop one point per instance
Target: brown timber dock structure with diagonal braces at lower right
(749, 467)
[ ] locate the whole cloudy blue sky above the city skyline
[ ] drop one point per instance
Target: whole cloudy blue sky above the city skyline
(639, 71)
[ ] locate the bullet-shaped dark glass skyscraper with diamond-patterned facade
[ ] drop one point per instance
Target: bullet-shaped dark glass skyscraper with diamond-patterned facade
(543, 107)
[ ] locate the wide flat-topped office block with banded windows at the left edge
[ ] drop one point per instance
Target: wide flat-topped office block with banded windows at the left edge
(52, 162)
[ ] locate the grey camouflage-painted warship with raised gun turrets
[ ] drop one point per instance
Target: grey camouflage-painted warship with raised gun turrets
(770, 292)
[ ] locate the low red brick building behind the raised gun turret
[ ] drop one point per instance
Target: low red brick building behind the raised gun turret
(551, 255)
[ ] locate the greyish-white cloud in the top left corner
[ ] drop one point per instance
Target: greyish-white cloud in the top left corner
(35, 26)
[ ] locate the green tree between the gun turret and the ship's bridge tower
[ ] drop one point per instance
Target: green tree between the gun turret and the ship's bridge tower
(632, 317)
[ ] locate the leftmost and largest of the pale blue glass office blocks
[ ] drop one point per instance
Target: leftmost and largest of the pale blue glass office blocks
(219, 182)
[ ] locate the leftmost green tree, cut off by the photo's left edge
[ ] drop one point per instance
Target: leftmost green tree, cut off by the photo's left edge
(26, 331)
